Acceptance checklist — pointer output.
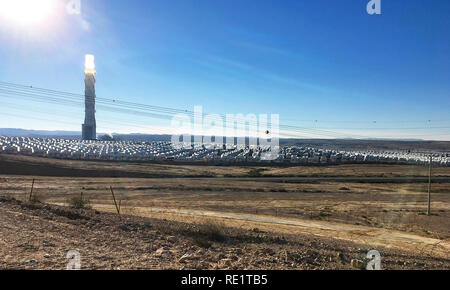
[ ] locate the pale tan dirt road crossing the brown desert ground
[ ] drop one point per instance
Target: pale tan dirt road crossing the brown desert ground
(372, 236)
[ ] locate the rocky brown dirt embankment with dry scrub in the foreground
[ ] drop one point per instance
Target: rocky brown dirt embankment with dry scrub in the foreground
(38, 236)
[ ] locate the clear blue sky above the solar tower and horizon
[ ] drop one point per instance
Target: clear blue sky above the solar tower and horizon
(305, 60)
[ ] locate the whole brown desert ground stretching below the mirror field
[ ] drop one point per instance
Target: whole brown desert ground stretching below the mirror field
(279, 217)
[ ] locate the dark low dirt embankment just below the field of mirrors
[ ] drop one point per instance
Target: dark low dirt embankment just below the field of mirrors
(38, 166)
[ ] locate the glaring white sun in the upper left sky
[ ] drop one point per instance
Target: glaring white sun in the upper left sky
(26, 12)
